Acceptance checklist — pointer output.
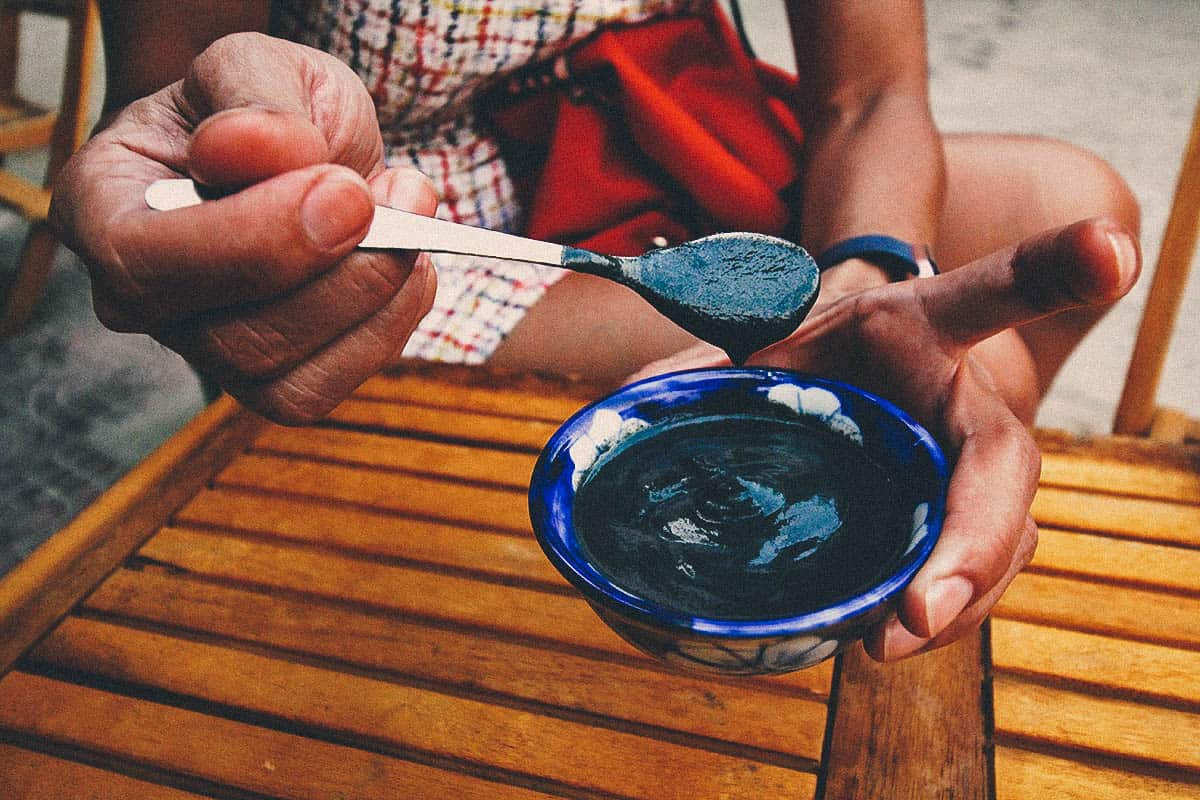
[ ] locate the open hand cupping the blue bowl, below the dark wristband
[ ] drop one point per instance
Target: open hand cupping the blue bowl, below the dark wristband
(944, 350)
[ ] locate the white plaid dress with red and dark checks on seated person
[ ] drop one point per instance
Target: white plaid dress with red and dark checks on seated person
(428, 64)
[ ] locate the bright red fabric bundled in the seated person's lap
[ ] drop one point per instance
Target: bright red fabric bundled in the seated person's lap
(698, 139)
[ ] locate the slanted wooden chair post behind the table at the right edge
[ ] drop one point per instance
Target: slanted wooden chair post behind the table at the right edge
(1138, 414)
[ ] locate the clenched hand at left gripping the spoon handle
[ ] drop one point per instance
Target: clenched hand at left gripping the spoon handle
(262, 290)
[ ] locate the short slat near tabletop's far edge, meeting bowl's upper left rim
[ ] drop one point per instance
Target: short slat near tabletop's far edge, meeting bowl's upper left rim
(461, 425)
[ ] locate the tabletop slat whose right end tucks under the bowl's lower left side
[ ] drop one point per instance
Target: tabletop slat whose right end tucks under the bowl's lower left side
(519, 612)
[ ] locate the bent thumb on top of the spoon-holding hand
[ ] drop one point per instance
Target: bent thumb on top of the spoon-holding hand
(263, 106)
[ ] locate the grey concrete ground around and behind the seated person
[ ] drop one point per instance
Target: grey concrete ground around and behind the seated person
(80, 406)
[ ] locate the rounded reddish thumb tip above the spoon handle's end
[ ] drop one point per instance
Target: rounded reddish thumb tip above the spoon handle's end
(245, 146)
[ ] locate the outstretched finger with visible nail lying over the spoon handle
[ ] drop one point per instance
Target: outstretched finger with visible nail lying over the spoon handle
(256, 244)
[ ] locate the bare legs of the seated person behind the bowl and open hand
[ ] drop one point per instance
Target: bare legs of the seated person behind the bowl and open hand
(1001, 190)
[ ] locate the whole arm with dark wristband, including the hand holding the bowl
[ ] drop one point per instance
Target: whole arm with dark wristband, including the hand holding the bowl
(944, 348)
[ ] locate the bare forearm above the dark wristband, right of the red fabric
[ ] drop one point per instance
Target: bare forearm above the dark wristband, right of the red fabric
(874, 161)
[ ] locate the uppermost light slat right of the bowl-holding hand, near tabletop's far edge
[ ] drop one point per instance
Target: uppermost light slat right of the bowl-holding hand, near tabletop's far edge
(1113, 477)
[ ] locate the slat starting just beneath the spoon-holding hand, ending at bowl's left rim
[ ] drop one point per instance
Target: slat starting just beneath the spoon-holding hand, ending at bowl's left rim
(443, 460)
